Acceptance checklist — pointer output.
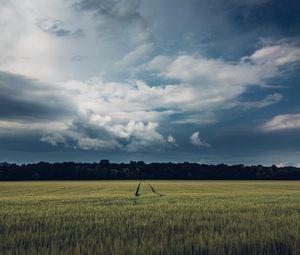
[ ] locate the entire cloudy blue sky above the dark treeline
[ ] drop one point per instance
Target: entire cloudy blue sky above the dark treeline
(208, 81)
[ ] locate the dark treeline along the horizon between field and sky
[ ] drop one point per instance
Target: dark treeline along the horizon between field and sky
(104, 170)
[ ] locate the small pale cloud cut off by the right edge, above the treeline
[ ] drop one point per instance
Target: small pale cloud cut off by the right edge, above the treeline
(282, 122)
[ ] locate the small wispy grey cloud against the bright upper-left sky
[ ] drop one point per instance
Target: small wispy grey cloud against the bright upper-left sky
(56, 28)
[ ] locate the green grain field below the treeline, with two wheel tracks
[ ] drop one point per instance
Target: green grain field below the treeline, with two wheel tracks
(192, 217)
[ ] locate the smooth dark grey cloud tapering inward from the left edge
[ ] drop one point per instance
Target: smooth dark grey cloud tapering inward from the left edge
(22, 98)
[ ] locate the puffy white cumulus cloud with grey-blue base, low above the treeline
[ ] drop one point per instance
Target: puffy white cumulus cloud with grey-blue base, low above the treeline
(90, 131)
